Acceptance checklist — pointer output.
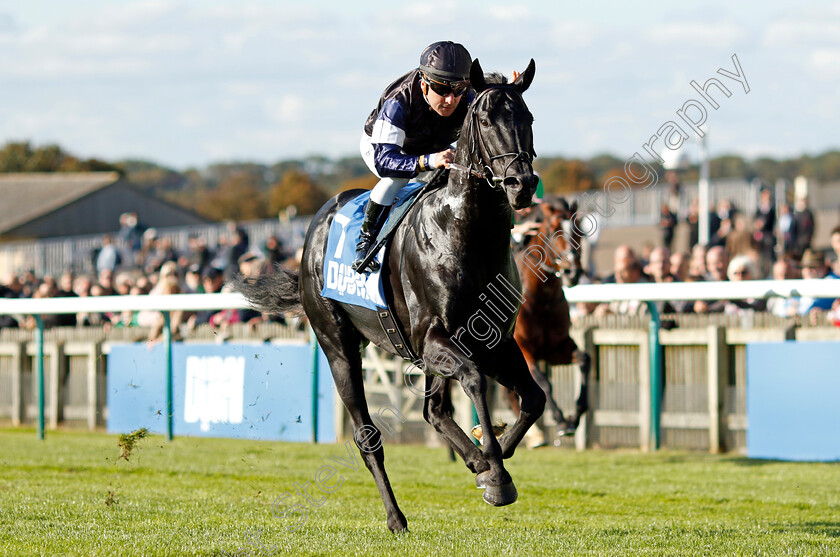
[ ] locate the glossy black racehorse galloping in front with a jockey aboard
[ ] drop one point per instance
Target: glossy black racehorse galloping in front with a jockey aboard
(453, 285)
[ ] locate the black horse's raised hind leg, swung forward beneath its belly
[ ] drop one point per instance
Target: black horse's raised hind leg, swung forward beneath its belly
(437, 410)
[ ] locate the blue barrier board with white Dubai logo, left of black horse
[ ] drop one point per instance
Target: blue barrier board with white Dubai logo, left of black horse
(249, 391)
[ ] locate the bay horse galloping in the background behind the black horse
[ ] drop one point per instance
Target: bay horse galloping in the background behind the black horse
(549, 260)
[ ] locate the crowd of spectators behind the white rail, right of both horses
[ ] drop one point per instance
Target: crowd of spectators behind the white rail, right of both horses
(743, 251)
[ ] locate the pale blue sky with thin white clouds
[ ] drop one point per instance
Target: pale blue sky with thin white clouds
(192, 82)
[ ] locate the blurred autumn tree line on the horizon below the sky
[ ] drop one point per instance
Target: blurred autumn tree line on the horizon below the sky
(247, 190)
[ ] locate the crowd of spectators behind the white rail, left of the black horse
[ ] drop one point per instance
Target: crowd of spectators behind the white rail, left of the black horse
(139, 261)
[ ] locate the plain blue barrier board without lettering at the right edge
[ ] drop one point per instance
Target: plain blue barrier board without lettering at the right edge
(793, 400)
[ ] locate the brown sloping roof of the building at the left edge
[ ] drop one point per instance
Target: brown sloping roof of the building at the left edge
(27, 196)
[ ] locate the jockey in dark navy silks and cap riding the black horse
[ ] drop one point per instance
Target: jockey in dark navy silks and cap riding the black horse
(411, 130)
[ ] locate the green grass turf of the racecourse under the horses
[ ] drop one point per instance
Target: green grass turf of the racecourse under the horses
(203, 497)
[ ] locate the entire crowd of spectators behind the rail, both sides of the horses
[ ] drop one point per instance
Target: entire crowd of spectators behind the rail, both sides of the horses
(137, 260)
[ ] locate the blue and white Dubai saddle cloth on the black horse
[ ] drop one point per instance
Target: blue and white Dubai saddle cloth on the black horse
(341, 282)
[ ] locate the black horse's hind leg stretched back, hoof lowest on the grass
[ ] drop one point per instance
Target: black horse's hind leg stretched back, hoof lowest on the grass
(342, 351)
